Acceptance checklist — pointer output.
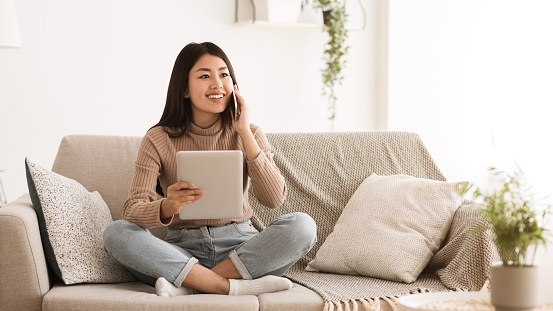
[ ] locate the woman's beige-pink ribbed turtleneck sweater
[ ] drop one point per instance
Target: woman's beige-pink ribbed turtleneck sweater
(156, 159)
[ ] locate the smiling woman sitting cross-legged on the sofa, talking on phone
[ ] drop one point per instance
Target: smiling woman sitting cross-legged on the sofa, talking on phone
(223, 256)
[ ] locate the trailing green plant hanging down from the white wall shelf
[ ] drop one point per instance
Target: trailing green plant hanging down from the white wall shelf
(335, 18)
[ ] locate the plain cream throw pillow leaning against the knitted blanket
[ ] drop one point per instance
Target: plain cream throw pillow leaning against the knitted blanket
(390, 228)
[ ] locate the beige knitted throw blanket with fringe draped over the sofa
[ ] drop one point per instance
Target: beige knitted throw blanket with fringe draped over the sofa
(323, 170)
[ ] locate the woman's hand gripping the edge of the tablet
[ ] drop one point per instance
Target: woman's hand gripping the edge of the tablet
(178, 196)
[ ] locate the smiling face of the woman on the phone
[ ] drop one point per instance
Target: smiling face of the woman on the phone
(209, 89)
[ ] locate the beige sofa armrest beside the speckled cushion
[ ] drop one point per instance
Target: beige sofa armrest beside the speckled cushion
(23, 267)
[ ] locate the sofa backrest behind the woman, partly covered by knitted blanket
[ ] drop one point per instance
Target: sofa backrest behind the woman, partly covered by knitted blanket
(322, 170)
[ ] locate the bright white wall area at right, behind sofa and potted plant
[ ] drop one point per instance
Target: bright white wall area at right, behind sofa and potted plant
(474, 79)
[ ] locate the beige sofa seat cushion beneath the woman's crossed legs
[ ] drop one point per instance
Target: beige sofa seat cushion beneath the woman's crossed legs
(138, 296)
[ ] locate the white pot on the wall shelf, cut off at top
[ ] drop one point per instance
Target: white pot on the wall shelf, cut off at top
(277, 11)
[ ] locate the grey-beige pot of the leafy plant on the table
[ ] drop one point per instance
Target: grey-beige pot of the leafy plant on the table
(514, 288)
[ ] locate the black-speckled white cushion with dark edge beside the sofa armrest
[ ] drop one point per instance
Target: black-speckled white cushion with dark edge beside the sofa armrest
(71, 222)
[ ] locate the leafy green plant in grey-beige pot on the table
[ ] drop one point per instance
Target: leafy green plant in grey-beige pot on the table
(515, 218)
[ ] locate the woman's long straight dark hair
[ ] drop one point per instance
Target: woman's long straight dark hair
(177, 114)
